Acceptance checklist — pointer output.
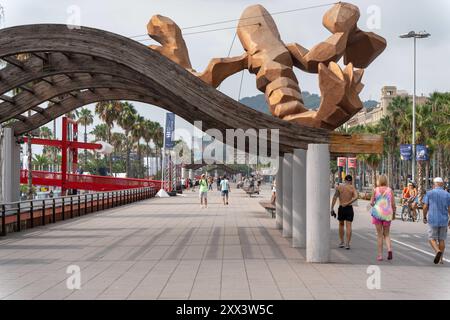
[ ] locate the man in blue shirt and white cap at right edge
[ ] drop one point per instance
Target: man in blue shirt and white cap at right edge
(436, 211)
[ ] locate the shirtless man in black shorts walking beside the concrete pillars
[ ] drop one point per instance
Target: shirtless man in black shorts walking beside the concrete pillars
(347, 195)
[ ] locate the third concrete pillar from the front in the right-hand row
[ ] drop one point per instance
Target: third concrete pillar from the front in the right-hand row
(287, 195)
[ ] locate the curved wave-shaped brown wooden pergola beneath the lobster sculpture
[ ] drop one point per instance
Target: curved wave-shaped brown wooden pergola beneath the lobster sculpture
(75, 67)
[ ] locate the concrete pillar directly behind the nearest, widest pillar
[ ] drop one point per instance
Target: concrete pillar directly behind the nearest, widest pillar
(299, 199)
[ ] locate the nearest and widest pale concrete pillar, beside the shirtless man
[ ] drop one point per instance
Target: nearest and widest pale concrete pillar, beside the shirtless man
(318, 204)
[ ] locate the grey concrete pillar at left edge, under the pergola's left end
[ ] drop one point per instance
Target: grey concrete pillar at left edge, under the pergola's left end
(10, 167)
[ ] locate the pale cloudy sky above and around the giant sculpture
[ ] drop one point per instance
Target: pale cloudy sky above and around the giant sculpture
(389, 18)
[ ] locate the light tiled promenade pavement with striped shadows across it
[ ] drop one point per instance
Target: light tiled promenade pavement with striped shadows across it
(172, 249)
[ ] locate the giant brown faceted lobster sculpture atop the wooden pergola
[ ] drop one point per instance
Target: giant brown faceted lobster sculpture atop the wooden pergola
(272, 61)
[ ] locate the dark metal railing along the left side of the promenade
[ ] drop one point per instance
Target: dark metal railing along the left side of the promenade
(30, 213)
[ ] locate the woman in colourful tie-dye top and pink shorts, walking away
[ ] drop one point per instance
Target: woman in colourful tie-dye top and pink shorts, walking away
(383, 212)
